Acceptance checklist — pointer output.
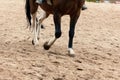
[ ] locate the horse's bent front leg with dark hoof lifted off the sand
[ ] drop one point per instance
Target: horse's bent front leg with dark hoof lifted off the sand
(57, 21)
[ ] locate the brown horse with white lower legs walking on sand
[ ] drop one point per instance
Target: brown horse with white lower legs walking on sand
(58, 8)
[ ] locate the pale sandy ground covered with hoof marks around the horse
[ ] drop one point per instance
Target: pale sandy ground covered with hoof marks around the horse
(96, 43)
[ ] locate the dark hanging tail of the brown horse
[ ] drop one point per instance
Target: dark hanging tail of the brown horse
(27, 10)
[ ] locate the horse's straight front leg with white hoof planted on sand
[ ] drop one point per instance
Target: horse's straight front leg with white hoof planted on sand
(73, 20)
